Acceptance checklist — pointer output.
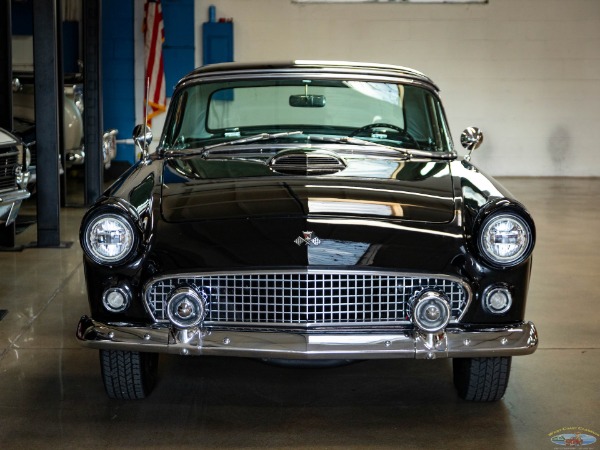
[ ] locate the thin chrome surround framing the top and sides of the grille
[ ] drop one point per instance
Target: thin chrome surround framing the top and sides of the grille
(187, 275)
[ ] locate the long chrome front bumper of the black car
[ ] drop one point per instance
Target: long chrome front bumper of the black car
(455, 342)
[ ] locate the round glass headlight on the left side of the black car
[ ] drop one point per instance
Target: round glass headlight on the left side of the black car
(109, 238)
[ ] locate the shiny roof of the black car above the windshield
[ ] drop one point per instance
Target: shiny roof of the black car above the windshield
(308, 67)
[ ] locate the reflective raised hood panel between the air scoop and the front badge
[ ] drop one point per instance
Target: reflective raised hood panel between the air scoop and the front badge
(418, 192)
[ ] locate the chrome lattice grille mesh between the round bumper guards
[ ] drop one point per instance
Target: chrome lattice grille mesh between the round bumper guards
(306, 298)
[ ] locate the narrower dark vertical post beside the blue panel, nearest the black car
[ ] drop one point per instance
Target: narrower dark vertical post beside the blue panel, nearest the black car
(92, 99)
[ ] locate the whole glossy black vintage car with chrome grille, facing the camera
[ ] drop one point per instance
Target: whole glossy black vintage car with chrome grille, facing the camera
(307, 211)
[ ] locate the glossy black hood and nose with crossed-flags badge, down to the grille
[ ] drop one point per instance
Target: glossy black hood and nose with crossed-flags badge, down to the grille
(287, 221)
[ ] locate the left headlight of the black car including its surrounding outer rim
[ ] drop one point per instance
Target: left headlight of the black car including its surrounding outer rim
(123, 234)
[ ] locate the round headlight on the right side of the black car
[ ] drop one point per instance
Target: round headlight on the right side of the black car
(505, 239)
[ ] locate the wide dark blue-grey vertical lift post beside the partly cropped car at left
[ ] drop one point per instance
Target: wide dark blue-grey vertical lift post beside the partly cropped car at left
(48, 87)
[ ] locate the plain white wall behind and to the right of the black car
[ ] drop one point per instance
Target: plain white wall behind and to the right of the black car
(527, 72)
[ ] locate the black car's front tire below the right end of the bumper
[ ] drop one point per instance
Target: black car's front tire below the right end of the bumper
(481, 379)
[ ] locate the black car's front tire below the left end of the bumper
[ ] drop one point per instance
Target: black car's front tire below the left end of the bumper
(128, 375)
